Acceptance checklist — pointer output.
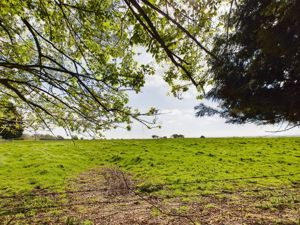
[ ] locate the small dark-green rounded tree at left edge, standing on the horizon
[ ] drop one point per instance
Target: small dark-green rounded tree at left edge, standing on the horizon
(11, 124)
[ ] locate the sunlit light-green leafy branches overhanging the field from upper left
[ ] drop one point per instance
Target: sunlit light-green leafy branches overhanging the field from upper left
(71, 63)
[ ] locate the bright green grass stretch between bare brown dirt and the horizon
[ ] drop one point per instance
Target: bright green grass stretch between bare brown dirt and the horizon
(184, 166)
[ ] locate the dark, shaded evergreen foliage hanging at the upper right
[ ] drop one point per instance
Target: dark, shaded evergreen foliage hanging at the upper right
(259, 80)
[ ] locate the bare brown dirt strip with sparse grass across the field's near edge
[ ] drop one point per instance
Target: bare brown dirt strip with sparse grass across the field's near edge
(110, 196)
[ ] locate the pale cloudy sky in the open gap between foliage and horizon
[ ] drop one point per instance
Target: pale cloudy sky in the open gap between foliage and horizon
(178, 116)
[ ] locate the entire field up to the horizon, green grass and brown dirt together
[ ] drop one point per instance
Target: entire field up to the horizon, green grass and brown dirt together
(214, 180)
